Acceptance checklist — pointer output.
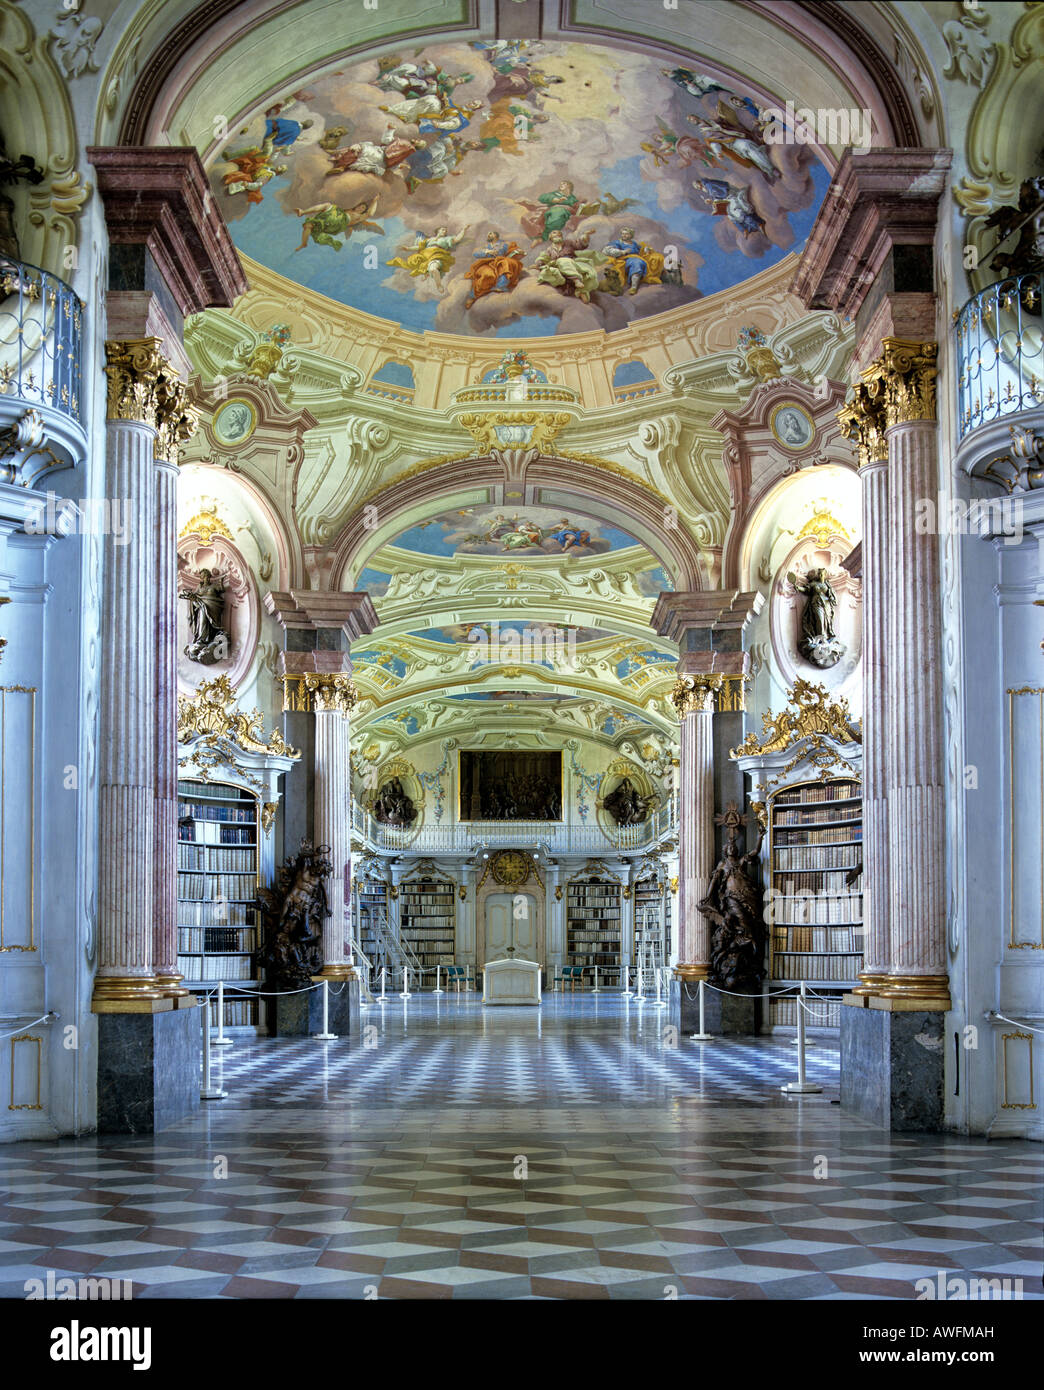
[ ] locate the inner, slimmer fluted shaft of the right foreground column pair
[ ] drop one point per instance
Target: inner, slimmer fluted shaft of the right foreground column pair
(878, 569)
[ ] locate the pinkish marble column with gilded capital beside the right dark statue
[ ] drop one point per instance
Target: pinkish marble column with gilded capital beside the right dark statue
(694, 697)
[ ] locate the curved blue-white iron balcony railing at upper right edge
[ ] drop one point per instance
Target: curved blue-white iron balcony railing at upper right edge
(1000, 369)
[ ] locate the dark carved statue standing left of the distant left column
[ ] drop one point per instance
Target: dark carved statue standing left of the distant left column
(294, 914)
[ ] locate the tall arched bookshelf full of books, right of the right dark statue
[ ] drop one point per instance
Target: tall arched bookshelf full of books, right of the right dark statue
(815, 867)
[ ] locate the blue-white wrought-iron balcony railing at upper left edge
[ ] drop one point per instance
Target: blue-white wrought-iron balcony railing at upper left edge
(41, 334)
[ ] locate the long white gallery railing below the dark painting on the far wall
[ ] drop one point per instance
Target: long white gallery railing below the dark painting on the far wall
(560, 837)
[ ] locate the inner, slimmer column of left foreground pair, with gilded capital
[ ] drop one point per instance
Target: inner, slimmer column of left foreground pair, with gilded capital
(174, 427)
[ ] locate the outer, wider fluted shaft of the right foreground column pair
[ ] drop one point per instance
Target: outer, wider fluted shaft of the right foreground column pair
(917, 796)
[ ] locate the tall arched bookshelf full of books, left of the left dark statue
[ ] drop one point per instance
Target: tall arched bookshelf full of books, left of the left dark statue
(219, 874)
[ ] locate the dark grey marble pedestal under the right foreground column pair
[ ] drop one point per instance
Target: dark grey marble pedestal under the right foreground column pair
(893, 1067)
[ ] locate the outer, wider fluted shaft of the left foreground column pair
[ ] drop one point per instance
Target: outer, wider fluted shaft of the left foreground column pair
(127, 750)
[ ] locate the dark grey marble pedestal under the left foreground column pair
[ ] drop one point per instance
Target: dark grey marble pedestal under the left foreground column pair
(148, 1070)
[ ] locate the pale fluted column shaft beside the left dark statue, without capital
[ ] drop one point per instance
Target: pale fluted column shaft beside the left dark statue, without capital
(333, 822)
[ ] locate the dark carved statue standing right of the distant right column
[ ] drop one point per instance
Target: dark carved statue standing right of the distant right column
(735, 908)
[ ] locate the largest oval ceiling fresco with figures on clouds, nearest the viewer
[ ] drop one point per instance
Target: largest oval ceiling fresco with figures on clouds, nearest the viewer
(516, 187)
